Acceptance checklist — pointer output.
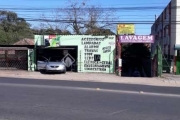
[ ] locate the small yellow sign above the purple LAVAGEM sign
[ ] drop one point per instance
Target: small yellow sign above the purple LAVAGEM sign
(125, 29)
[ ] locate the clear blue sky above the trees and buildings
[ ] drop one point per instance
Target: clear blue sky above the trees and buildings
(123, 15)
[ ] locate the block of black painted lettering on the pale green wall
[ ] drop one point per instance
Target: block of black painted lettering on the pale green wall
(95, 55)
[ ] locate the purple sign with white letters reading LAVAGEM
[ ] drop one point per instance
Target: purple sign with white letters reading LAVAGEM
(136, 38)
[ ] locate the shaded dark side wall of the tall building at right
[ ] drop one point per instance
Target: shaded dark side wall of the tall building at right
(162, 31)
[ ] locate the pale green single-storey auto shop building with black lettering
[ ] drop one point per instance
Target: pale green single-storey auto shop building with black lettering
(88, 53)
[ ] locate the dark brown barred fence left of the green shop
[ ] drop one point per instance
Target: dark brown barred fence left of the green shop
(12, 59)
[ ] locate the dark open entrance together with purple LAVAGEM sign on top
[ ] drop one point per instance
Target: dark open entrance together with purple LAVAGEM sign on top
(135, 55)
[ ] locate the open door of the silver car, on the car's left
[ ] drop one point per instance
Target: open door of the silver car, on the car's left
(41, 63)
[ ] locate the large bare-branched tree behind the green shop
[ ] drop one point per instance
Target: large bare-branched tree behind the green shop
(81, 18)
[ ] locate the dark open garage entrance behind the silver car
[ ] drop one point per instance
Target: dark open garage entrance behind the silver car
(62, 52)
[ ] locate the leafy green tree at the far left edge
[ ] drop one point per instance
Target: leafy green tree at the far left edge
(13, 28)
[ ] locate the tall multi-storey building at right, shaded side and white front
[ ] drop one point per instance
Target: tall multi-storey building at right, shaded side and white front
(166, 31)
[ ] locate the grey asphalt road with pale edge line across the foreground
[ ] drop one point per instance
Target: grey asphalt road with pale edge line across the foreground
(25, 99)
